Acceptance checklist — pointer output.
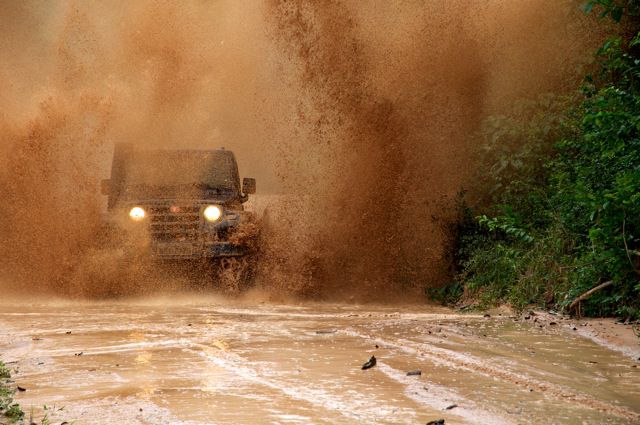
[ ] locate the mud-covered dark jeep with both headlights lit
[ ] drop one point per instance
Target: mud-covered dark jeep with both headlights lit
(182, 206)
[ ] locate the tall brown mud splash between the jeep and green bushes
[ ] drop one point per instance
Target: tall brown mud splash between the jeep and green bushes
(392, 97)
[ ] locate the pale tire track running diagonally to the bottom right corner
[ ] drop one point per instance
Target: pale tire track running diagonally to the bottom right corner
(448, 358)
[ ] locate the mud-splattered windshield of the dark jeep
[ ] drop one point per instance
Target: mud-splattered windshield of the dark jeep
(206, 169)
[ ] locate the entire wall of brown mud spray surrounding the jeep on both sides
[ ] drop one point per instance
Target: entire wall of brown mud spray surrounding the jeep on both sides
(360, 115)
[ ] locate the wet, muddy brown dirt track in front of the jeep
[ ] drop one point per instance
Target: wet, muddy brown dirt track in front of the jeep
(210, 362)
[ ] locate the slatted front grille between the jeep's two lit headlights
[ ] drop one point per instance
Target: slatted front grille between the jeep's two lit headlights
(182, 224)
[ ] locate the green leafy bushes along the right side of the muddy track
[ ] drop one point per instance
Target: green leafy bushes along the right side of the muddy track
(558, 221)
